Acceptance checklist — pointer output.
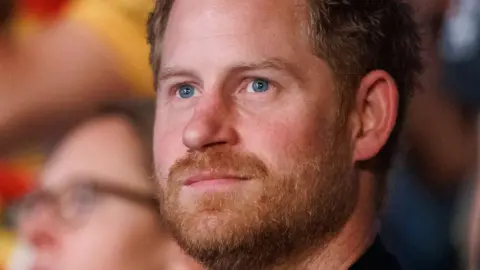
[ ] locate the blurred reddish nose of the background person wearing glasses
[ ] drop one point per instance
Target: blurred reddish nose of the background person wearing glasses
(38, 229)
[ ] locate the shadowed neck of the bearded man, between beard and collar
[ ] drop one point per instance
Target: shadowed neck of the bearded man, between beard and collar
(353, 240)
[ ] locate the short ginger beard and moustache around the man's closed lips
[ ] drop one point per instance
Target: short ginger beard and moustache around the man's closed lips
(276, 218)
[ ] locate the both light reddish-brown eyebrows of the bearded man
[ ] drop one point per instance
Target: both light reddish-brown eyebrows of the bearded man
(270, 63)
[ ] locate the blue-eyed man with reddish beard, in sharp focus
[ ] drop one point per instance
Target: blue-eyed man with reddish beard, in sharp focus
(275, 125)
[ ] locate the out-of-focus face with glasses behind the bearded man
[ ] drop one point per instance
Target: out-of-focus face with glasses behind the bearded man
(95, 207)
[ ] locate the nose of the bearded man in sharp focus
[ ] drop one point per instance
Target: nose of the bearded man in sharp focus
(211, 124)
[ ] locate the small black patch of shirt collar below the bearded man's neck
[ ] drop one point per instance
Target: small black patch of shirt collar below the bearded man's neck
(377, 258)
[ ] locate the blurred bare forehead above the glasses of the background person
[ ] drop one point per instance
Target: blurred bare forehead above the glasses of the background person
(105, 149)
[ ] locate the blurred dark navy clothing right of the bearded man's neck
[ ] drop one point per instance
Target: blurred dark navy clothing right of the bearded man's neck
(416, 224)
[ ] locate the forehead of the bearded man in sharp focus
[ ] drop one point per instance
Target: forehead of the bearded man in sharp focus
(234, 30)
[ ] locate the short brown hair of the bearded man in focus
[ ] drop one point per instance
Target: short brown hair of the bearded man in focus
(354, 37)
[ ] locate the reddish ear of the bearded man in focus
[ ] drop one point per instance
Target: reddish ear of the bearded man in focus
(375, 114)
